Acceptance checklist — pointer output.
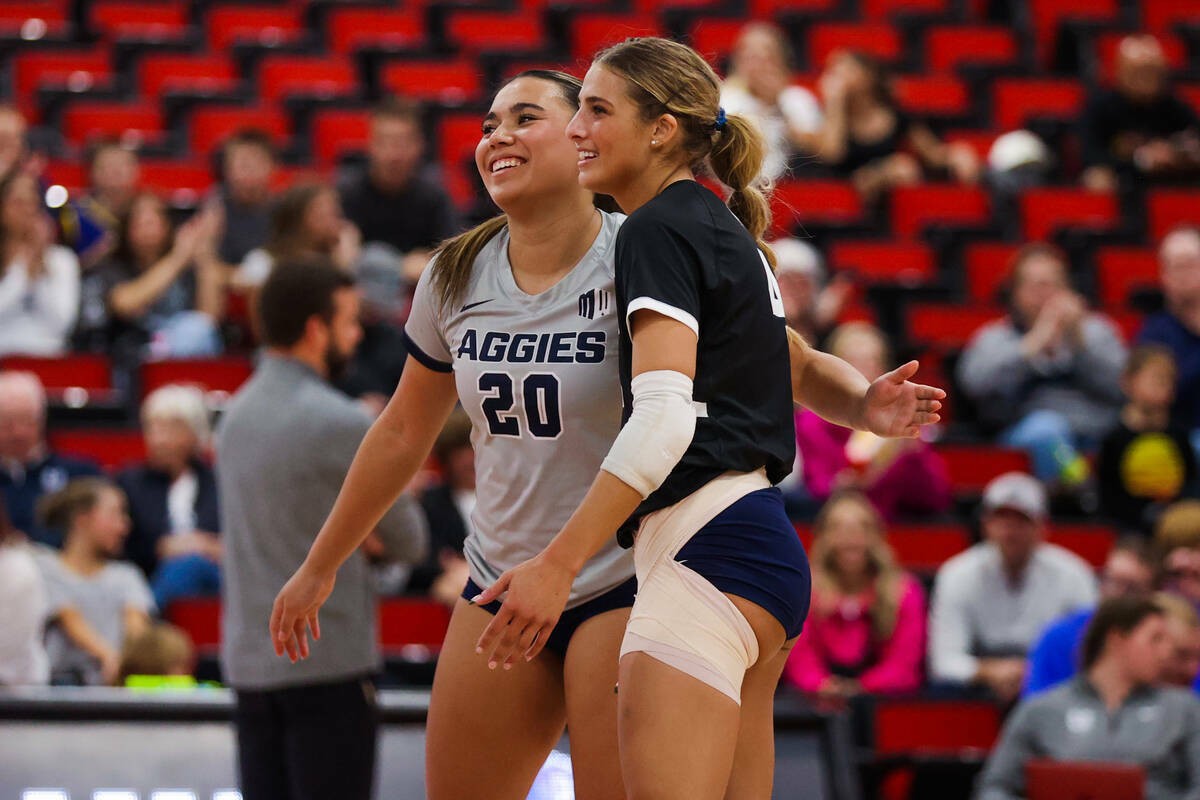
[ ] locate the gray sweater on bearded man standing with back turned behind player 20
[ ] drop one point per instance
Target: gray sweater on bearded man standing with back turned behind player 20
(285, 446)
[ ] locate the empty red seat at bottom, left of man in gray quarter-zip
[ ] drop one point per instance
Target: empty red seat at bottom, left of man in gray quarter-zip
(935, 726)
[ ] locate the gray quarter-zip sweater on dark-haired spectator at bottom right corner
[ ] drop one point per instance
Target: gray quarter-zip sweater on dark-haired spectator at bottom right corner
(1155, 729)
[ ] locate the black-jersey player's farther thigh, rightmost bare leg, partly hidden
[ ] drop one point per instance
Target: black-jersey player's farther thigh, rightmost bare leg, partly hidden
(754, 762)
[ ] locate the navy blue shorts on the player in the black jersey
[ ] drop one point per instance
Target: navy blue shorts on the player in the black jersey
(752, 551)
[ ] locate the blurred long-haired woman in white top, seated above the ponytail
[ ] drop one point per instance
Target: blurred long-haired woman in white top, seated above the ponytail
(760, 87)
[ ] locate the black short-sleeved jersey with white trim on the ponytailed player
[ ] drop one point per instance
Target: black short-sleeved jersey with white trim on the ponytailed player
(686, 256)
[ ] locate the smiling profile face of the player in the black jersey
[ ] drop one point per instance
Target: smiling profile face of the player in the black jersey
(613, 140)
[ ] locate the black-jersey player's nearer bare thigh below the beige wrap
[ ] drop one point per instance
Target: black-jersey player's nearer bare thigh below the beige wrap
(677, 733)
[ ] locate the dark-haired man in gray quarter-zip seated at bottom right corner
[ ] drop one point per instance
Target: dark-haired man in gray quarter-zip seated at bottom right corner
(1113, 713)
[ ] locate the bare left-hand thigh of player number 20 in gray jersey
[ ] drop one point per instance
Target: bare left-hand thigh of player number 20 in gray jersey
(489, 731)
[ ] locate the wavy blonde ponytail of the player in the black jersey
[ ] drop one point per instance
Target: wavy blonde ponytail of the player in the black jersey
(736, 160)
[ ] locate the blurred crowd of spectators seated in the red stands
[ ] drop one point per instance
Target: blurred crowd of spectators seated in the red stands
(1109, 417)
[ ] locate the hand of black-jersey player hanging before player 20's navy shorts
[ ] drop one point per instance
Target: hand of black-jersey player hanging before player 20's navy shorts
(538, 592)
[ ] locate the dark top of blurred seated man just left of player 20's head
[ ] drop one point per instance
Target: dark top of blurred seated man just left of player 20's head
(418, 218)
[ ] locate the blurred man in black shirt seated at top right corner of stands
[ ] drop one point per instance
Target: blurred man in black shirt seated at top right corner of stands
(1139, 130)
